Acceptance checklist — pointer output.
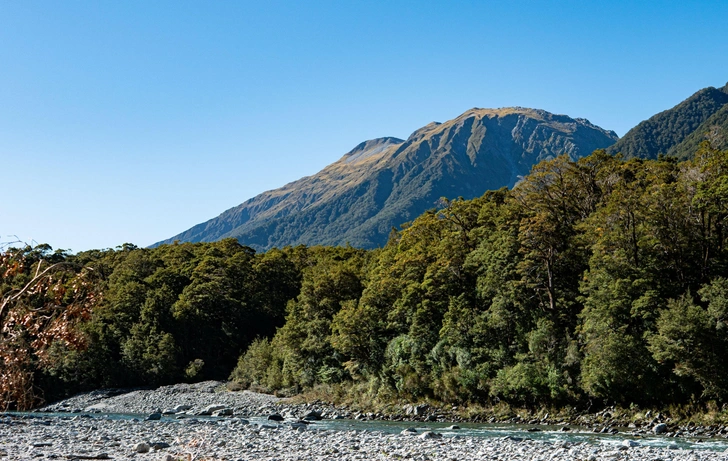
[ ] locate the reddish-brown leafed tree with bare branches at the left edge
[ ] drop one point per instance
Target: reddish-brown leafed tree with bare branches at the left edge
(40, 307)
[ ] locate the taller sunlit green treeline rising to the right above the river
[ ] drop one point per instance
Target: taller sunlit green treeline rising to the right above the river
(600, 279)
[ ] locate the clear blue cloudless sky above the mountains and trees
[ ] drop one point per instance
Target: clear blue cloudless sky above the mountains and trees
(131, 121)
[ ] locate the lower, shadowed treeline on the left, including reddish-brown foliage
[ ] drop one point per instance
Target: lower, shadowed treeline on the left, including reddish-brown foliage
(135, 316)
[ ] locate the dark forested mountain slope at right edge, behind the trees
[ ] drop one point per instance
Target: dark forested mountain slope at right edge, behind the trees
(678, 131)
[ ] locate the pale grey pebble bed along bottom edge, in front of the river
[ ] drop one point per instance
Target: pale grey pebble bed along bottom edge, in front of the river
(101, 438)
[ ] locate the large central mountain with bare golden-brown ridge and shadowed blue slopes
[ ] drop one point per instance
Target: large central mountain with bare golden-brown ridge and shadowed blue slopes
(385, 182)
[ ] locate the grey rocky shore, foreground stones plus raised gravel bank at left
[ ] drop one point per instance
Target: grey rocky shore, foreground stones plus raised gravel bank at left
(203, 421)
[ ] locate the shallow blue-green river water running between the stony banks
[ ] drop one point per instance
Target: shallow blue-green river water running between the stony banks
(552, 434)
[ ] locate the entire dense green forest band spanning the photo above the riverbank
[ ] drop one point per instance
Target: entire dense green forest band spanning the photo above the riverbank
(602, 279)
